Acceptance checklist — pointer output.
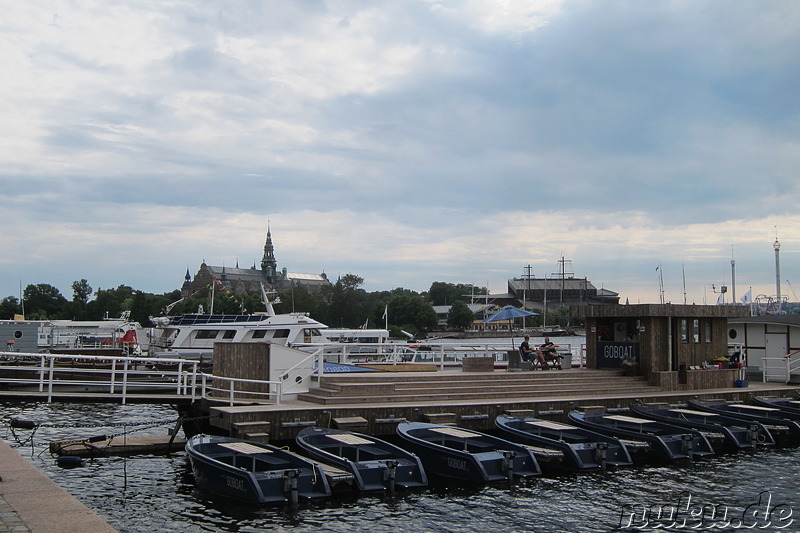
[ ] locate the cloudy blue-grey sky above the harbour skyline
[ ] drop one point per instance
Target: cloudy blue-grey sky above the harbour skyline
(405, 142)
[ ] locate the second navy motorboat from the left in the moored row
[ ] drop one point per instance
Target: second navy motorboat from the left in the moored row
(374, 463)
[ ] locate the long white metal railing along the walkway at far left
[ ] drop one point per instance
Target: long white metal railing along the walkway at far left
(50, 373)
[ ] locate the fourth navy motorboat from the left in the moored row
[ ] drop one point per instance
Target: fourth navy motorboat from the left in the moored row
(582, 448)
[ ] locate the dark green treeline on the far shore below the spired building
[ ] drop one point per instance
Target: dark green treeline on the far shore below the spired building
(342, 304)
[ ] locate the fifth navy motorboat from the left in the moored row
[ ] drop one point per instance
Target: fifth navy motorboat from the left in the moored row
(668, 442)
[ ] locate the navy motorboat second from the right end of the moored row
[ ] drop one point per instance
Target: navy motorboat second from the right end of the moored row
(784, 425)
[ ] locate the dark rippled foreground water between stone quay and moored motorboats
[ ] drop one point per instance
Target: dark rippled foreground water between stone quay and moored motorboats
(156, 493)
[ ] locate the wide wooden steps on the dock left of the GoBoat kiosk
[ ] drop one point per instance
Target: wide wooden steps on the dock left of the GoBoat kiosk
(390, 387)
